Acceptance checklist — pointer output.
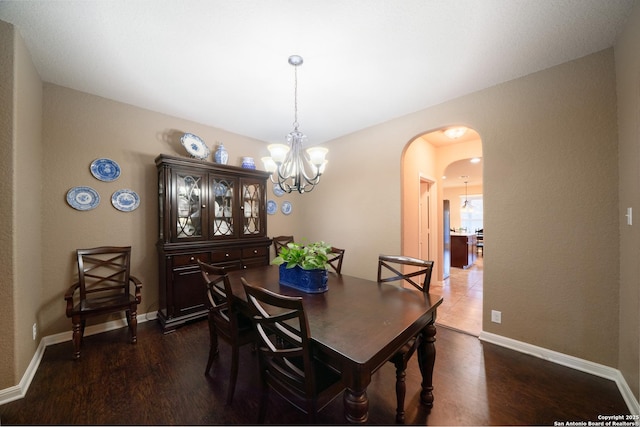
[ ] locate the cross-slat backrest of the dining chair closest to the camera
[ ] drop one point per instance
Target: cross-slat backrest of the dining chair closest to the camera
(283, 333)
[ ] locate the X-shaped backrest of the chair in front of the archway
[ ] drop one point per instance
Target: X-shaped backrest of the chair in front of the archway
(411, 268)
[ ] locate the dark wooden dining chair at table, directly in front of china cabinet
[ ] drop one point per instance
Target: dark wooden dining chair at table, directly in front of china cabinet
(224, 321)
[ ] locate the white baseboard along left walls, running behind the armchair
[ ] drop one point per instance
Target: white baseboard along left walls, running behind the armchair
(19, 391)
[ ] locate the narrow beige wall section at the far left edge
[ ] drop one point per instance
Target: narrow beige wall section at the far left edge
(20, 181)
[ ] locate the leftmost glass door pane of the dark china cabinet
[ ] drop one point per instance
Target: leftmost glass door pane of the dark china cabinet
(188, 209)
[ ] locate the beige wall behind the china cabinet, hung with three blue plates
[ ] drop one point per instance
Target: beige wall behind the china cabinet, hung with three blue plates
(79, 128)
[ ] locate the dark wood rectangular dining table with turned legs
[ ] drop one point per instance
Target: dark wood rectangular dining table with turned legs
(356, 326)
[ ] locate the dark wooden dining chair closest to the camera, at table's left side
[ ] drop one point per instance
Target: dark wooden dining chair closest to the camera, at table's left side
(287, 364)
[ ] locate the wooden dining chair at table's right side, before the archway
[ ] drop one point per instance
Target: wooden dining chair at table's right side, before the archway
(416, 272)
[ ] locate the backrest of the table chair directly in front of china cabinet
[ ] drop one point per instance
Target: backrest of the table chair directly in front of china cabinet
(220, 300)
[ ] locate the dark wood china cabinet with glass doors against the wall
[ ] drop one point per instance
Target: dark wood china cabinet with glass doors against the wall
(212, 212)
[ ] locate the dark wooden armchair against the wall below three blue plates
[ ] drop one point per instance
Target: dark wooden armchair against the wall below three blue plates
(104, 286)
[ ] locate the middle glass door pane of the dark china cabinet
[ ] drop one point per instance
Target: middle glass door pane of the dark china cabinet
(223, 224)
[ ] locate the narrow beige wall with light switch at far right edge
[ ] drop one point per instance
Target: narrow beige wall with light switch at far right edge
(628, 89)
